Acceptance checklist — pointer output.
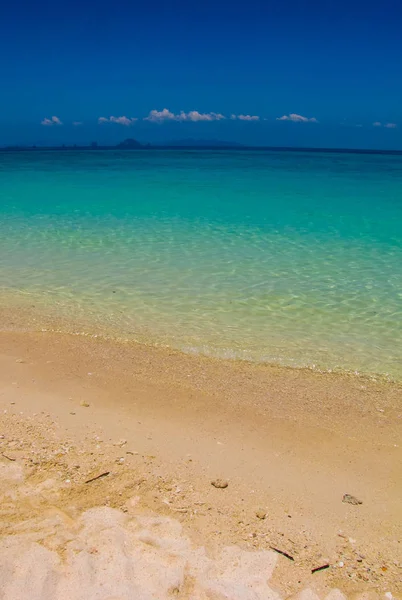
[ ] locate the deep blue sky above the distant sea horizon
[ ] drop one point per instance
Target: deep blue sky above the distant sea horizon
(337, 61)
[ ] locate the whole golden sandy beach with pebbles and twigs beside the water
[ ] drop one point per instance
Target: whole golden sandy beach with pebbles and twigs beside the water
(227, 477)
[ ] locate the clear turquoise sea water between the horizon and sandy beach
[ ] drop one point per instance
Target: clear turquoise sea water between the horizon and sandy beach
(284, 257)
